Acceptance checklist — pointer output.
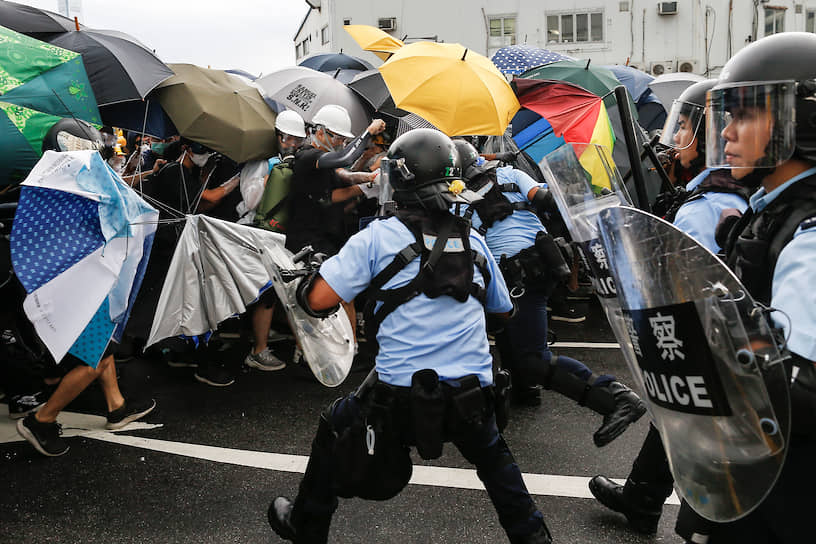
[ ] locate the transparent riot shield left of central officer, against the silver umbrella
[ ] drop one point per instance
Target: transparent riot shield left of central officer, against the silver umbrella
(327, 343)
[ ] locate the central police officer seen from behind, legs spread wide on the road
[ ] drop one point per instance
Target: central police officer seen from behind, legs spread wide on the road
(435, 283)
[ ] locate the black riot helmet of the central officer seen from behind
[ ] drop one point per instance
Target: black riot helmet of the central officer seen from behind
(425, 170)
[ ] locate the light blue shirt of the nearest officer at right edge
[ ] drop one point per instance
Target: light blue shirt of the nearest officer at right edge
(794, 278)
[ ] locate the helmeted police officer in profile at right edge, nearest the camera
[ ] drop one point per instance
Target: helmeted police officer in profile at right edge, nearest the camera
(764, 111)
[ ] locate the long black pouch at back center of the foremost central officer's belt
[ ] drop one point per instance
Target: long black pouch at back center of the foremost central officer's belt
(428, 413)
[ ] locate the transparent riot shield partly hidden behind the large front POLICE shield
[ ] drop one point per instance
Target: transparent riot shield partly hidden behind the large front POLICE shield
(584, 180)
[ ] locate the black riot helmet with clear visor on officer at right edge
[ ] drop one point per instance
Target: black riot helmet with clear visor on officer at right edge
(772, 83)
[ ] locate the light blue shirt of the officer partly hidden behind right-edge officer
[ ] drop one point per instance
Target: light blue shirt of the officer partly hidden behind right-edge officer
(699, 217)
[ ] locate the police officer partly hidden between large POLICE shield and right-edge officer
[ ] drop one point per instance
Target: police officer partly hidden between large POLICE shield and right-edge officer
(697, 211)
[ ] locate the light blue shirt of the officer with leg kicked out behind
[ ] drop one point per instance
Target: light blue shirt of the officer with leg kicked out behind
(518, 230)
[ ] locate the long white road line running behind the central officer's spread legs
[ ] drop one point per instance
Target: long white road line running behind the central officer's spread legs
(459, 478)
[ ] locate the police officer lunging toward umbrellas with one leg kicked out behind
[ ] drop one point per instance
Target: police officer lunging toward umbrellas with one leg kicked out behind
(529, 261)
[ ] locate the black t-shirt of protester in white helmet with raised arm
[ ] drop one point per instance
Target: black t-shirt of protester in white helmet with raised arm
(313, 219)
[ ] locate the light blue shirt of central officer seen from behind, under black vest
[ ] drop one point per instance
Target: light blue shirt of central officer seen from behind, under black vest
(441, 333)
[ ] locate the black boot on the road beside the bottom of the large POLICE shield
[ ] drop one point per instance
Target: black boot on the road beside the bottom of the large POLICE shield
(641, 503)
